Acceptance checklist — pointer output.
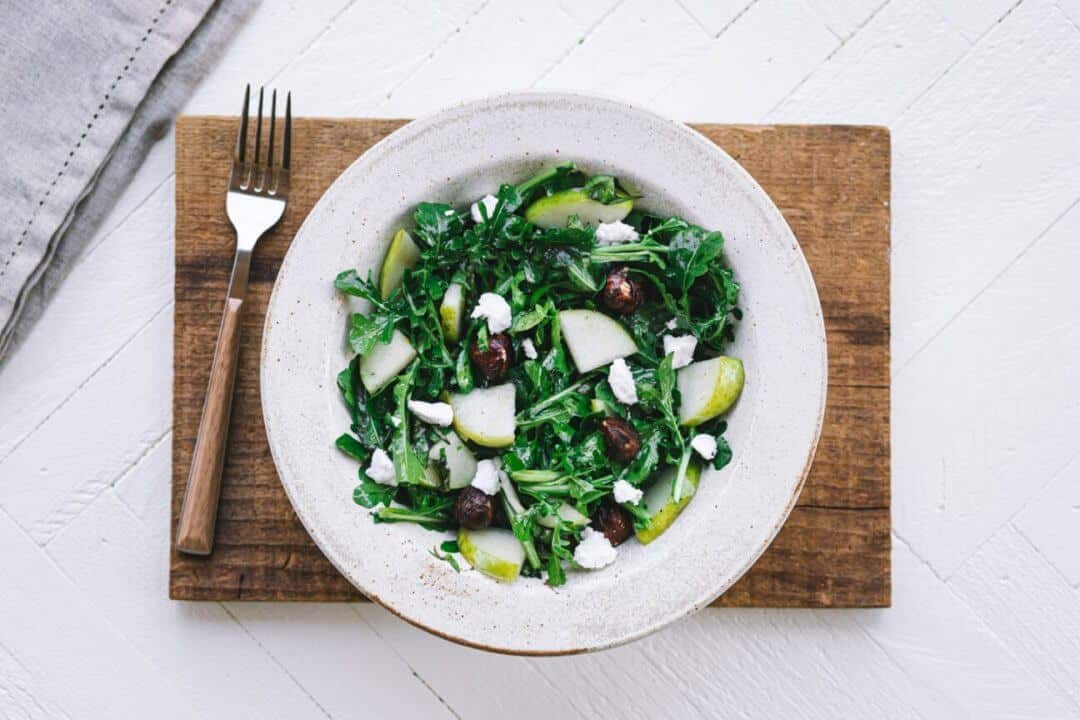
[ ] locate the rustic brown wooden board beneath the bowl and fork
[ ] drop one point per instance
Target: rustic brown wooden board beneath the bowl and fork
(832, 184)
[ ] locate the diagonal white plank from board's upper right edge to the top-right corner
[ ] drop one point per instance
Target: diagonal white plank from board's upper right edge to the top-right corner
(985, 161)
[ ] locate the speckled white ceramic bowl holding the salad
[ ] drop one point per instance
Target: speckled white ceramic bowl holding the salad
(456, 156)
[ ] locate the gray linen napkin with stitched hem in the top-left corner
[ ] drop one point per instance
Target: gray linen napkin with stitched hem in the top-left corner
(87, 87)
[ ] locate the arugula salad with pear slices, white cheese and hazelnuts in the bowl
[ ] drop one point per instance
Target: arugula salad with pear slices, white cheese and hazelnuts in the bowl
(544, 373)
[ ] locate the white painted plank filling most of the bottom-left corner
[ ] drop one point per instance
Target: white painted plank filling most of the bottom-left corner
(74, 660)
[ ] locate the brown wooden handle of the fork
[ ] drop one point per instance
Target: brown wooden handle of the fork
(195, 533)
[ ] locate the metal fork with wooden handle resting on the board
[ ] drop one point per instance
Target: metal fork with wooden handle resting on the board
(255, 202)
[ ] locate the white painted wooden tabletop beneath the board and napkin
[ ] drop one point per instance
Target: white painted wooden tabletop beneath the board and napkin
(983, 99)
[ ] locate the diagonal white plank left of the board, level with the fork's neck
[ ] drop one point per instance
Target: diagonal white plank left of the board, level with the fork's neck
(105, 301)
